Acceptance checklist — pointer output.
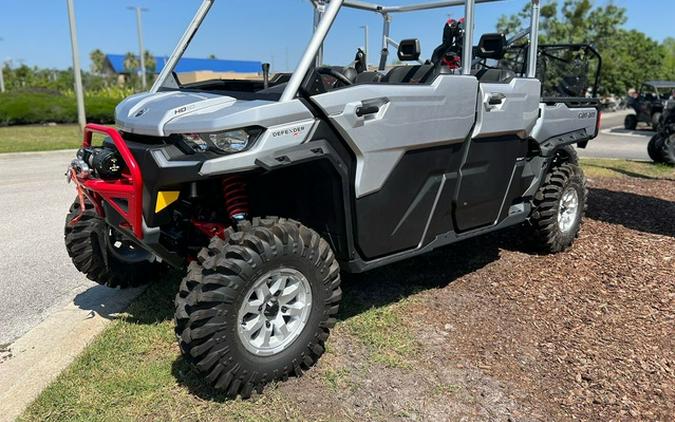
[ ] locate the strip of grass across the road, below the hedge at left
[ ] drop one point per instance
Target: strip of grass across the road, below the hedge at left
(39, 138)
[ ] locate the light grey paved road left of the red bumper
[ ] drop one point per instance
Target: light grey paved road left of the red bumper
(36, 276)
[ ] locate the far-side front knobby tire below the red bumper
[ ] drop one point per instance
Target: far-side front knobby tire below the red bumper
(90, 247)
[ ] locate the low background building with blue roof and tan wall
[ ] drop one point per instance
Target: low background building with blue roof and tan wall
(192, 70)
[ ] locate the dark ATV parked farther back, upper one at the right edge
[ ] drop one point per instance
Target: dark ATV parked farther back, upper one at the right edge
(649, 104)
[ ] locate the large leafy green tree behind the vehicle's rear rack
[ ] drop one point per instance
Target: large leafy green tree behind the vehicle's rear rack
(629, 57)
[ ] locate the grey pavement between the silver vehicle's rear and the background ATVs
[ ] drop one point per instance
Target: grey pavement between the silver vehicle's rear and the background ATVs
(616, 142)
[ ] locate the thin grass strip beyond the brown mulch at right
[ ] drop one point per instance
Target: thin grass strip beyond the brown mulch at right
(602, 167)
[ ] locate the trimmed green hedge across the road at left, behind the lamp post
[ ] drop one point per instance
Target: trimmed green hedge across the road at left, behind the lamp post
(35, 107)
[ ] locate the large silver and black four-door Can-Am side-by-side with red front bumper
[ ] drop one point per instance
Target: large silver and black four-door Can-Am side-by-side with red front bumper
(360, 168)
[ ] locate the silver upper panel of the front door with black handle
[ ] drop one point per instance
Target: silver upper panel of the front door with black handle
(408, 117)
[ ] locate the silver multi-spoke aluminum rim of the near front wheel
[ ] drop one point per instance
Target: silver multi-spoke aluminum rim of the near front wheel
(275, 311)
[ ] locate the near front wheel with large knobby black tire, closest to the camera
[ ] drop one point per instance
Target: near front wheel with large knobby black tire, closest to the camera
(211, 299)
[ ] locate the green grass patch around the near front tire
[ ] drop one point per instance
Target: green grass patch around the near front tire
(133, 370)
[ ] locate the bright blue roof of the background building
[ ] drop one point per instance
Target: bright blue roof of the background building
(192, 65)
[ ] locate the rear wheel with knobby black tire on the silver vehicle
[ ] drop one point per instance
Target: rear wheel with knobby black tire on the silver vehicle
(559, 208)
